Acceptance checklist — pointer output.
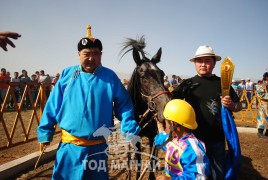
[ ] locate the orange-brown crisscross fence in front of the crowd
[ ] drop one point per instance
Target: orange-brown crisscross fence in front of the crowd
(19, 121)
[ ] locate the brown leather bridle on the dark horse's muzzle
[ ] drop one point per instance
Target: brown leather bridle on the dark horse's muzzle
(151, 107)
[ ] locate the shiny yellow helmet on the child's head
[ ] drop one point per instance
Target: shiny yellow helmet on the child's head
(181, 112)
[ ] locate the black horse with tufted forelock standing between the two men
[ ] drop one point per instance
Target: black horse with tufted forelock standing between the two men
(148, 93)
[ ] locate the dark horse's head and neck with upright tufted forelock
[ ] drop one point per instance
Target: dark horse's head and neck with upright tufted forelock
(147, 85)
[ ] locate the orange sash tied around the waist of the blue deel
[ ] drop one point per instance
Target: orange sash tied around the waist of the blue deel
(68, 138)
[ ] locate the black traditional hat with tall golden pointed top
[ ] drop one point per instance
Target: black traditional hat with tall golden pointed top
(89, 41)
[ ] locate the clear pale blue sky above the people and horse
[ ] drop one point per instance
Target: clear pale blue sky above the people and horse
(51, 30)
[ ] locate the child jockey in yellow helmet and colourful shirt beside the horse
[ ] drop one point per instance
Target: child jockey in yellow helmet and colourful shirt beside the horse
(185, 154)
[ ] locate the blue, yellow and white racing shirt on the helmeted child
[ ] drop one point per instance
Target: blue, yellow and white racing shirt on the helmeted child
(186, 158)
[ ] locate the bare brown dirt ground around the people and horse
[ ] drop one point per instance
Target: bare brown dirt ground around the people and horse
(254, 163)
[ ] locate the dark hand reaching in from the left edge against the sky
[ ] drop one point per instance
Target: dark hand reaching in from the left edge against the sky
(4, 39)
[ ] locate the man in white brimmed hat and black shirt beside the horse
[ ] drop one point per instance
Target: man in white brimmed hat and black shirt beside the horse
(203, 93)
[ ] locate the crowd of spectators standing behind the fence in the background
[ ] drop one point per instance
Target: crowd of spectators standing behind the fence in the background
(39, 76)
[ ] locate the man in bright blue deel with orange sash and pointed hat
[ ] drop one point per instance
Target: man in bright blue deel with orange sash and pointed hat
(82, 101)
